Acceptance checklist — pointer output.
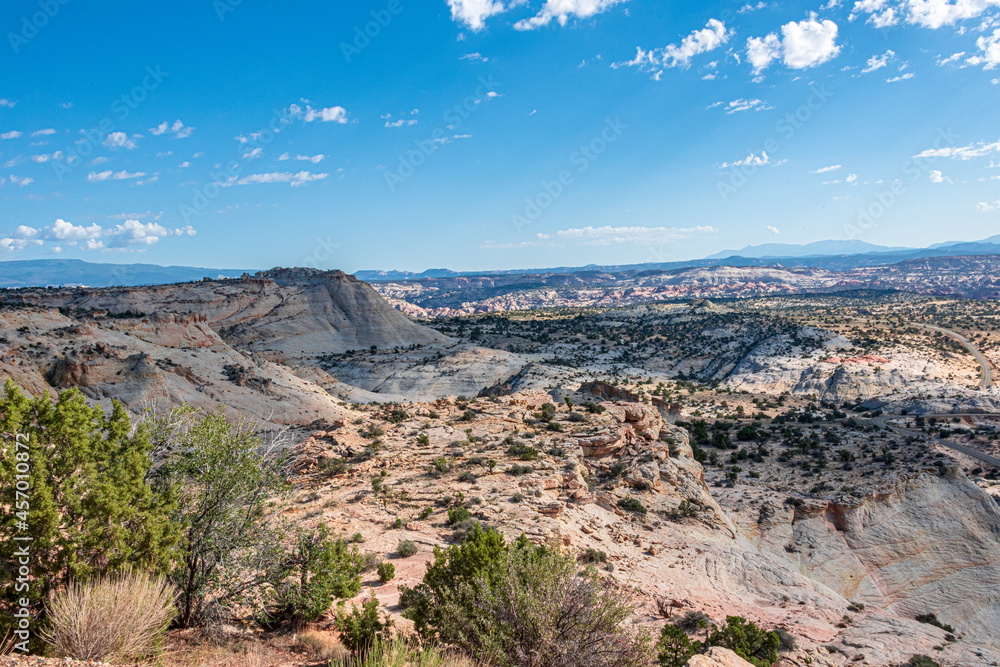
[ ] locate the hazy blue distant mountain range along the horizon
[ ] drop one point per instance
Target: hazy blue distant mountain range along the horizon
(830, 255)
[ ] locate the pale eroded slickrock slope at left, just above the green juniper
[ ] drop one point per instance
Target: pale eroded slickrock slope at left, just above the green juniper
(156, 362)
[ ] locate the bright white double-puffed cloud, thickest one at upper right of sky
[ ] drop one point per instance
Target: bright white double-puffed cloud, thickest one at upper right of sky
(803, 44)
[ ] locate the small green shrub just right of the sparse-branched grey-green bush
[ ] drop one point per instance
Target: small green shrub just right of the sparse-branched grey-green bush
(316, 572)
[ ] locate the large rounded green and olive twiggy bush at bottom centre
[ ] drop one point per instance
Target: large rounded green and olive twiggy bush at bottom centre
(522, 605)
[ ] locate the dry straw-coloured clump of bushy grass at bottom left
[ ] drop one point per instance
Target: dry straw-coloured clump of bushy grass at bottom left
(116, 619)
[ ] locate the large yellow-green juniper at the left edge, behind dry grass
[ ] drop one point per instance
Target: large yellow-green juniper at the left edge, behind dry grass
(92, 511)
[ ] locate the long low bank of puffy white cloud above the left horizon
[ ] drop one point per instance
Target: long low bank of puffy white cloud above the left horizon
(129, 234)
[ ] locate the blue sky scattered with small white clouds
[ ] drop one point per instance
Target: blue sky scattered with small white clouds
(489, 134)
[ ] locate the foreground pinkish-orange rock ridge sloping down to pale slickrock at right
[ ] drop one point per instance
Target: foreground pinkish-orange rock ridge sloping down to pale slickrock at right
(623, 482)
